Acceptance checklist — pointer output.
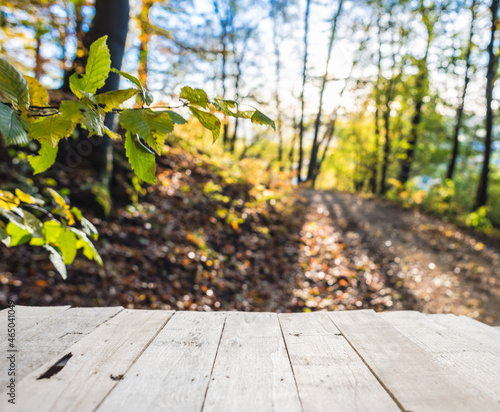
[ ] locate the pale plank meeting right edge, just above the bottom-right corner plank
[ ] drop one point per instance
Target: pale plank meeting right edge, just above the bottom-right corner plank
(450, 350)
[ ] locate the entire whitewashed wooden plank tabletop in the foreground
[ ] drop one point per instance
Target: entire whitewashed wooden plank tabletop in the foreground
(115, 359)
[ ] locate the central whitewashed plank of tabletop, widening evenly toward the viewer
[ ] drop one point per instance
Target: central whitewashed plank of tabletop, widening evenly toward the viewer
(252, 371)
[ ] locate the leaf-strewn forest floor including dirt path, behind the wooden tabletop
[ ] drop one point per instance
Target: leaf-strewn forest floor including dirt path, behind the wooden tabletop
(211, 236)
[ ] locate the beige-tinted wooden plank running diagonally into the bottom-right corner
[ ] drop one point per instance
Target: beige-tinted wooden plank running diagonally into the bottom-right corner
(409, 372)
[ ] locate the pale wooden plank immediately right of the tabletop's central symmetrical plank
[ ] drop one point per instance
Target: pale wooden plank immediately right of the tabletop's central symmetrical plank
(327, 369)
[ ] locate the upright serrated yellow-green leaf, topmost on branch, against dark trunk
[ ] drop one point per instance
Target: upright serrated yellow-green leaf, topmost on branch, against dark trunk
(96, 70)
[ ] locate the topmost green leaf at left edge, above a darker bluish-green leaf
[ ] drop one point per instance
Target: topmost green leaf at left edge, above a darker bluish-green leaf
(13, 86)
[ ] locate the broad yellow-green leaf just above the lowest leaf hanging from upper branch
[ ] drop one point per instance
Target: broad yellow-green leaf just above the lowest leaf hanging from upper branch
(151, 126)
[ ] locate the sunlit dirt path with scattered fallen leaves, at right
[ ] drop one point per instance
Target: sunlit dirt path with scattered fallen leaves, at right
(433, 266)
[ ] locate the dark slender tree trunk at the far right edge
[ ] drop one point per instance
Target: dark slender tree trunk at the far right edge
(482, 191)
